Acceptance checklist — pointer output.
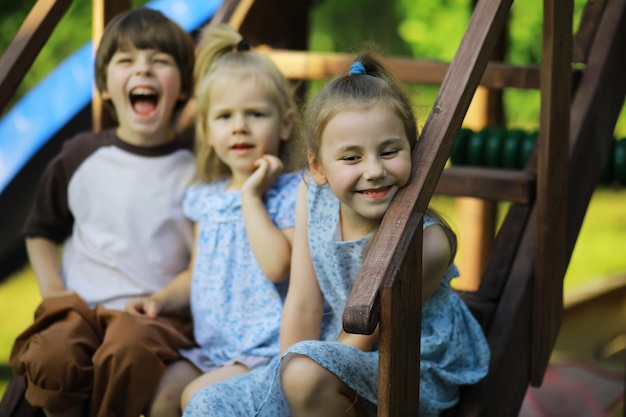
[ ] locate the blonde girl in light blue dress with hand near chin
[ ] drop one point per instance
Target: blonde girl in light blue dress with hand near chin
(243, 207)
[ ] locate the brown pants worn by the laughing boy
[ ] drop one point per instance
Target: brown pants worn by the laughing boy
(105, 360)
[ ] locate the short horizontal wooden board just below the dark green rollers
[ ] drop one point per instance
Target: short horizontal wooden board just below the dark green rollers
(488, 184)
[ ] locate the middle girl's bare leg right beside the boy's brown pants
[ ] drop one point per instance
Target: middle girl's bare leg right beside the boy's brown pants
(166, 400)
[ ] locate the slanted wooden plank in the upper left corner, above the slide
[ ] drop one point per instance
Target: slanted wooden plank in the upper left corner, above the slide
(30, 38)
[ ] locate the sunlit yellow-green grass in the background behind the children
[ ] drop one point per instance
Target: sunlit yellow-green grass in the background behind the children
(598, 255)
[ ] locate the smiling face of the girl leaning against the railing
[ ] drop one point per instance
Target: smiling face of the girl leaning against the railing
(365, 157)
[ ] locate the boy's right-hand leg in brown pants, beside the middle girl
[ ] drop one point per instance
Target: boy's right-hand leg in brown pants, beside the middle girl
(130, 361)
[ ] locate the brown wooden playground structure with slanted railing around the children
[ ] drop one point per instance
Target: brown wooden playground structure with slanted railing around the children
(519, 298)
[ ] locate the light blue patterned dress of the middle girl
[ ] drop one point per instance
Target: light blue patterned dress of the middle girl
(236, 309)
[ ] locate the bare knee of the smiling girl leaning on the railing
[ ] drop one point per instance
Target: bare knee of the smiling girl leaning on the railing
(312, 390)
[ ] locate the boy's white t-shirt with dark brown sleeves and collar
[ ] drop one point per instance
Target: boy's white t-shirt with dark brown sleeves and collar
(117, 210)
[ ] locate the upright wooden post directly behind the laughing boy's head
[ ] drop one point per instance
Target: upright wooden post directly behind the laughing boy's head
(102, 13)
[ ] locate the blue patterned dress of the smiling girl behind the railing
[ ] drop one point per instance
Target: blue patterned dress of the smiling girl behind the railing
(454, 351)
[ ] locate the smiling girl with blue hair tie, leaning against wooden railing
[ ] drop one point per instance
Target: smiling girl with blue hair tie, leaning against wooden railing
(360, 131)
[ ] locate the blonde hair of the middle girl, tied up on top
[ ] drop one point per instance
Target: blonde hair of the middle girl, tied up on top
(222, 49)
